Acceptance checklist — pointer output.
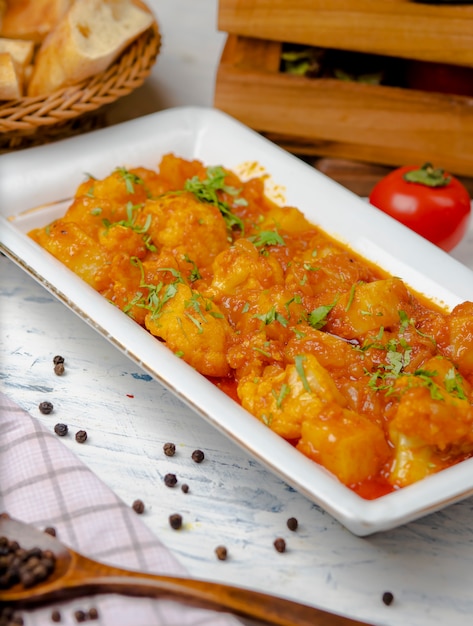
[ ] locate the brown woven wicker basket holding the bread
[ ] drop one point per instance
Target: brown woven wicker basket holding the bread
(79, 108)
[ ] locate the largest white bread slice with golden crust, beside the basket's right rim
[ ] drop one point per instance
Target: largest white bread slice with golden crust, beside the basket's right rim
(90, 37)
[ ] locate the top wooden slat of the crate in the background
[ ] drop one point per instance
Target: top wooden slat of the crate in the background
(400, 28)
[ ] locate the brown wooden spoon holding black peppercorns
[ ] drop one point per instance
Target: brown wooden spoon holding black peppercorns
(76, 575)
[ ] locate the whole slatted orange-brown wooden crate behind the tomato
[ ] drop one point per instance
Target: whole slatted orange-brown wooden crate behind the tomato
(332, 118)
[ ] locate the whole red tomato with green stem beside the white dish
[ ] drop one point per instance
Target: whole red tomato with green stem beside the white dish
(429, 201)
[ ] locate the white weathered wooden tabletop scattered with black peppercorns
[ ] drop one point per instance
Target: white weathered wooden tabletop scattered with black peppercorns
(232, 500)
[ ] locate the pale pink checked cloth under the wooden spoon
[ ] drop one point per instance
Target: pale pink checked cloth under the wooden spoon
(43, 483)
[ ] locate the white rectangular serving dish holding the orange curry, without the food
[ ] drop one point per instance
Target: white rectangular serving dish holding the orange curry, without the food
(50, 173)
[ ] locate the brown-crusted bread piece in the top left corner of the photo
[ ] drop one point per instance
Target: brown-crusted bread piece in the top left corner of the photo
(32, 19)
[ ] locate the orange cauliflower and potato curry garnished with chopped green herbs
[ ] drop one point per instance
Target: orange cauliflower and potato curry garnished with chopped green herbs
(345, 362)
